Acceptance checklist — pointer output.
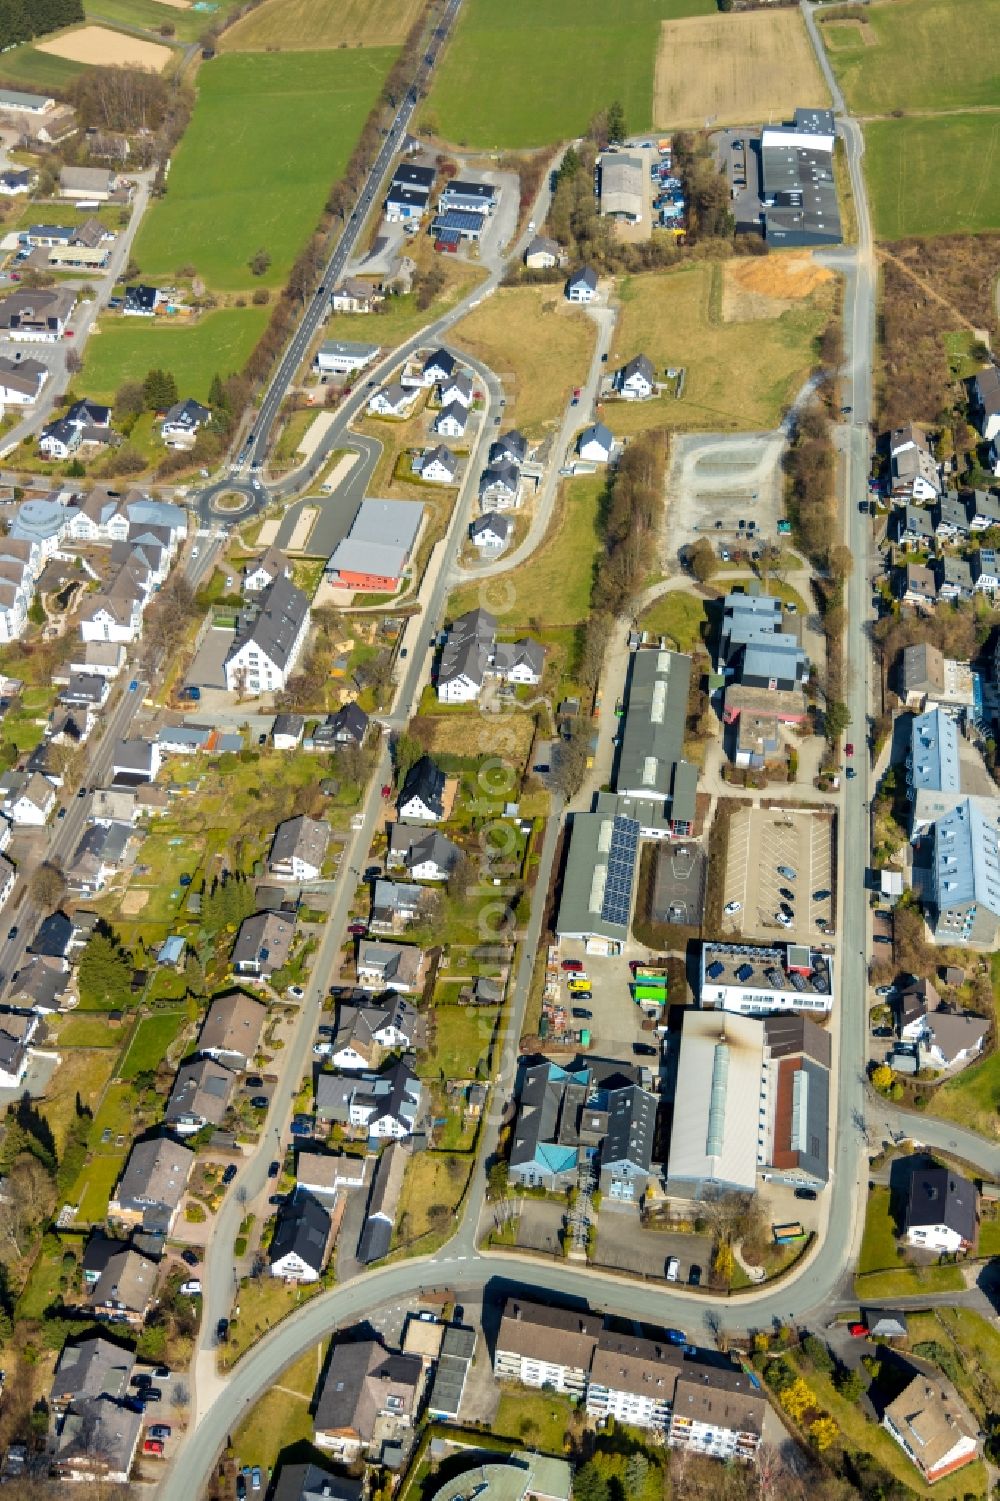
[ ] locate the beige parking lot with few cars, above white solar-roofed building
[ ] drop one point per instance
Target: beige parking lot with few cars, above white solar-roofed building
(801, 841)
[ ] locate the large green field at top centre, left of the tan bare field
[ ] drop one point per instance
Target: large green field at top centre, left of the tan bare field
(519, 77)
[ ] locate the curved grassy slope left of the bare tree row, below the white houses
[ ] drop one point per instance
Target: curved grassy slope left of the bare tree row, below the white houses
(553, 585)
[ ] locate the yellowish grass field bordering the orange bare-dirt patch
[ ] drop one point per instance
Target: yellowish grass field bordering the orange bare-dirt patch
(739, 376)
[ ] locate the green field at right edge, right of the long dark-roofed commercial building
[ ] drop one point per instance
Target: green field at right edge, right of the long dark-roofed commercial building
(935, 175)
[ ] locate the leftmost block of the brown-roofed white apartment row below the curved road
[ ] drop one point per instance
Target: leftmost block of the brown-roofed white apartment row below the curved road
(541, 1346)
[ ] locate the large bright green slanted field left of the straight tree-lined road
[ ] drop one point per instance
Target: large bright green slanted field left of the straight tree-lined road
(270, 136)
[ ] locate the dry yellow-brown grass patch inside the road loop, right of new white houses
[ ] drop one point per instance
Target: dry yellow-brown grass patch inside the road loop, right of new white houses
(538, 344)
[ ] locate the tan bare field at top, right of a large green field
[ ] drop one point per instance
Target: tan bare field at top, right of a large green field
(758, 65)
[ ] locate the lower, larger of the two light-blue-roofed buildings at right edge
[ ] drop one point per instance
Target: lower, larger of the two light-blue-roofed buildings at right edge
(965, 874)
